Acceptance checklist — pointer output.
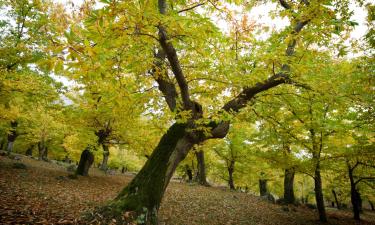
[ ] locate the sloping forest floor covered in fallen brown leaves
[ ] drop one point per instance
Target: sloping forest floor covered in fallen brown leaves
(42, 194)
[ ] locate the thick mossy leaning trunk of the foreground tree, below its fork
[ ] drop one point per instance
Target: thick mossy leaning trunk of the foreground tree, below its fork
(141, 198)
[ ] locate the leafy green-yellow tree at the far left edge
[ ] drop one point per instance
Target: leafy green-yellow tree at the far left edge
(23, 81)
